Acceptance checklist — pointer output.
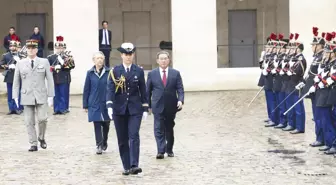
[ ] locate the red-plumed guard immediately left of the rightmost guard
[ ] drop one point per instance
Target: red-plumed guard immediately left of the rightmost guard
(317, 48)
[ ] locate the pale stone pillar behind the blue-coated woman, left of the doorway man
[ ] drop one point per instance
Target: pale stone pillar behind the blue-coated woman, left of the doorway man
(77, 21)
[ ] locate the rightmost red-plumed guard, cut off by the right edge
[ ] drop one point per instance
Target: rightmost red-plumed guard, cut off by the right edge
(324, 97)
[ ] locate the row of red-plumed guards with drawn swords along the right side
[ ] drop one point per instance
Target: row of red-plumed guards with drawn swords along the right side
(287, 83)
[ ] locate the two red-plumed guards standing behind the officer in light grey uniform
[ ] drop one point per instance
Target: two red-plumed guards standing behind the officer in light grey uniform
(61, 63)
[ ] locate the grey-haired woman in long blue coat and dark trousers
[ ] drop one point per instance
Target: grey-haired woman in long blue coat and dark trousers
(94, 100)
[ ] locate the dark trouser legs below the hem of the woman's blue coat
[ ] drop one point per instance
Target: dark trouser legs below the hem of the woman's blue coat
(101, 132)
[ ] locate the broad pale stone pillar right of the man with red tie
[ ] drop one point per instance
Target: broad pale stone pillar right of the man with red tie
(194, 37)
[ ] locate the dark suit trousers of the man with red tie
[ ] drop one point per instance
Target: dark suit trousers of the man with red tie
(164, 132)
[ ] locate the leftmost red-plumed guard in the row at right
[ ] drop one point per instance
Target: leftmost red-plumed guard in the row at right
(268, 84)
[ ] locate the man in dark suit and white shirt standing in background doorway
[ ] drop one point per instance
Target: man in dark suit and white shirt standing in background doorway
(105, 36)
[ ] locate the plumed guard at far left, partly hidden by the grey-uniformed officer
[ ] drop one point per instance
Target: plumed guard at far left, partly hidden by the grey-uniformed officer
(8, 62)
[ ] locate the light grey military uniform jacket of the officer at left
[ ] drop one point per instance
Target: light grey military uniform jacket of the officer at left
(33, 90)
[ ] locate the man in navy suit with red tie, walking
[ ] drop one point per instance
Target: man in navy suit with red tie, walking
(166, 96)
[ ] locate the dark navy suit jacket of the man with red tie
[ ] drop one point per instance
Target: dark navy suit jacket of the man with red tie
(164, 98)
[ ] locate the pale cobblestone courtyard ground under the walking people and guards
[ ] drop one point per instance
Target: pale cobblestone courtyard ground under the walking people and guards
(218, 141)
